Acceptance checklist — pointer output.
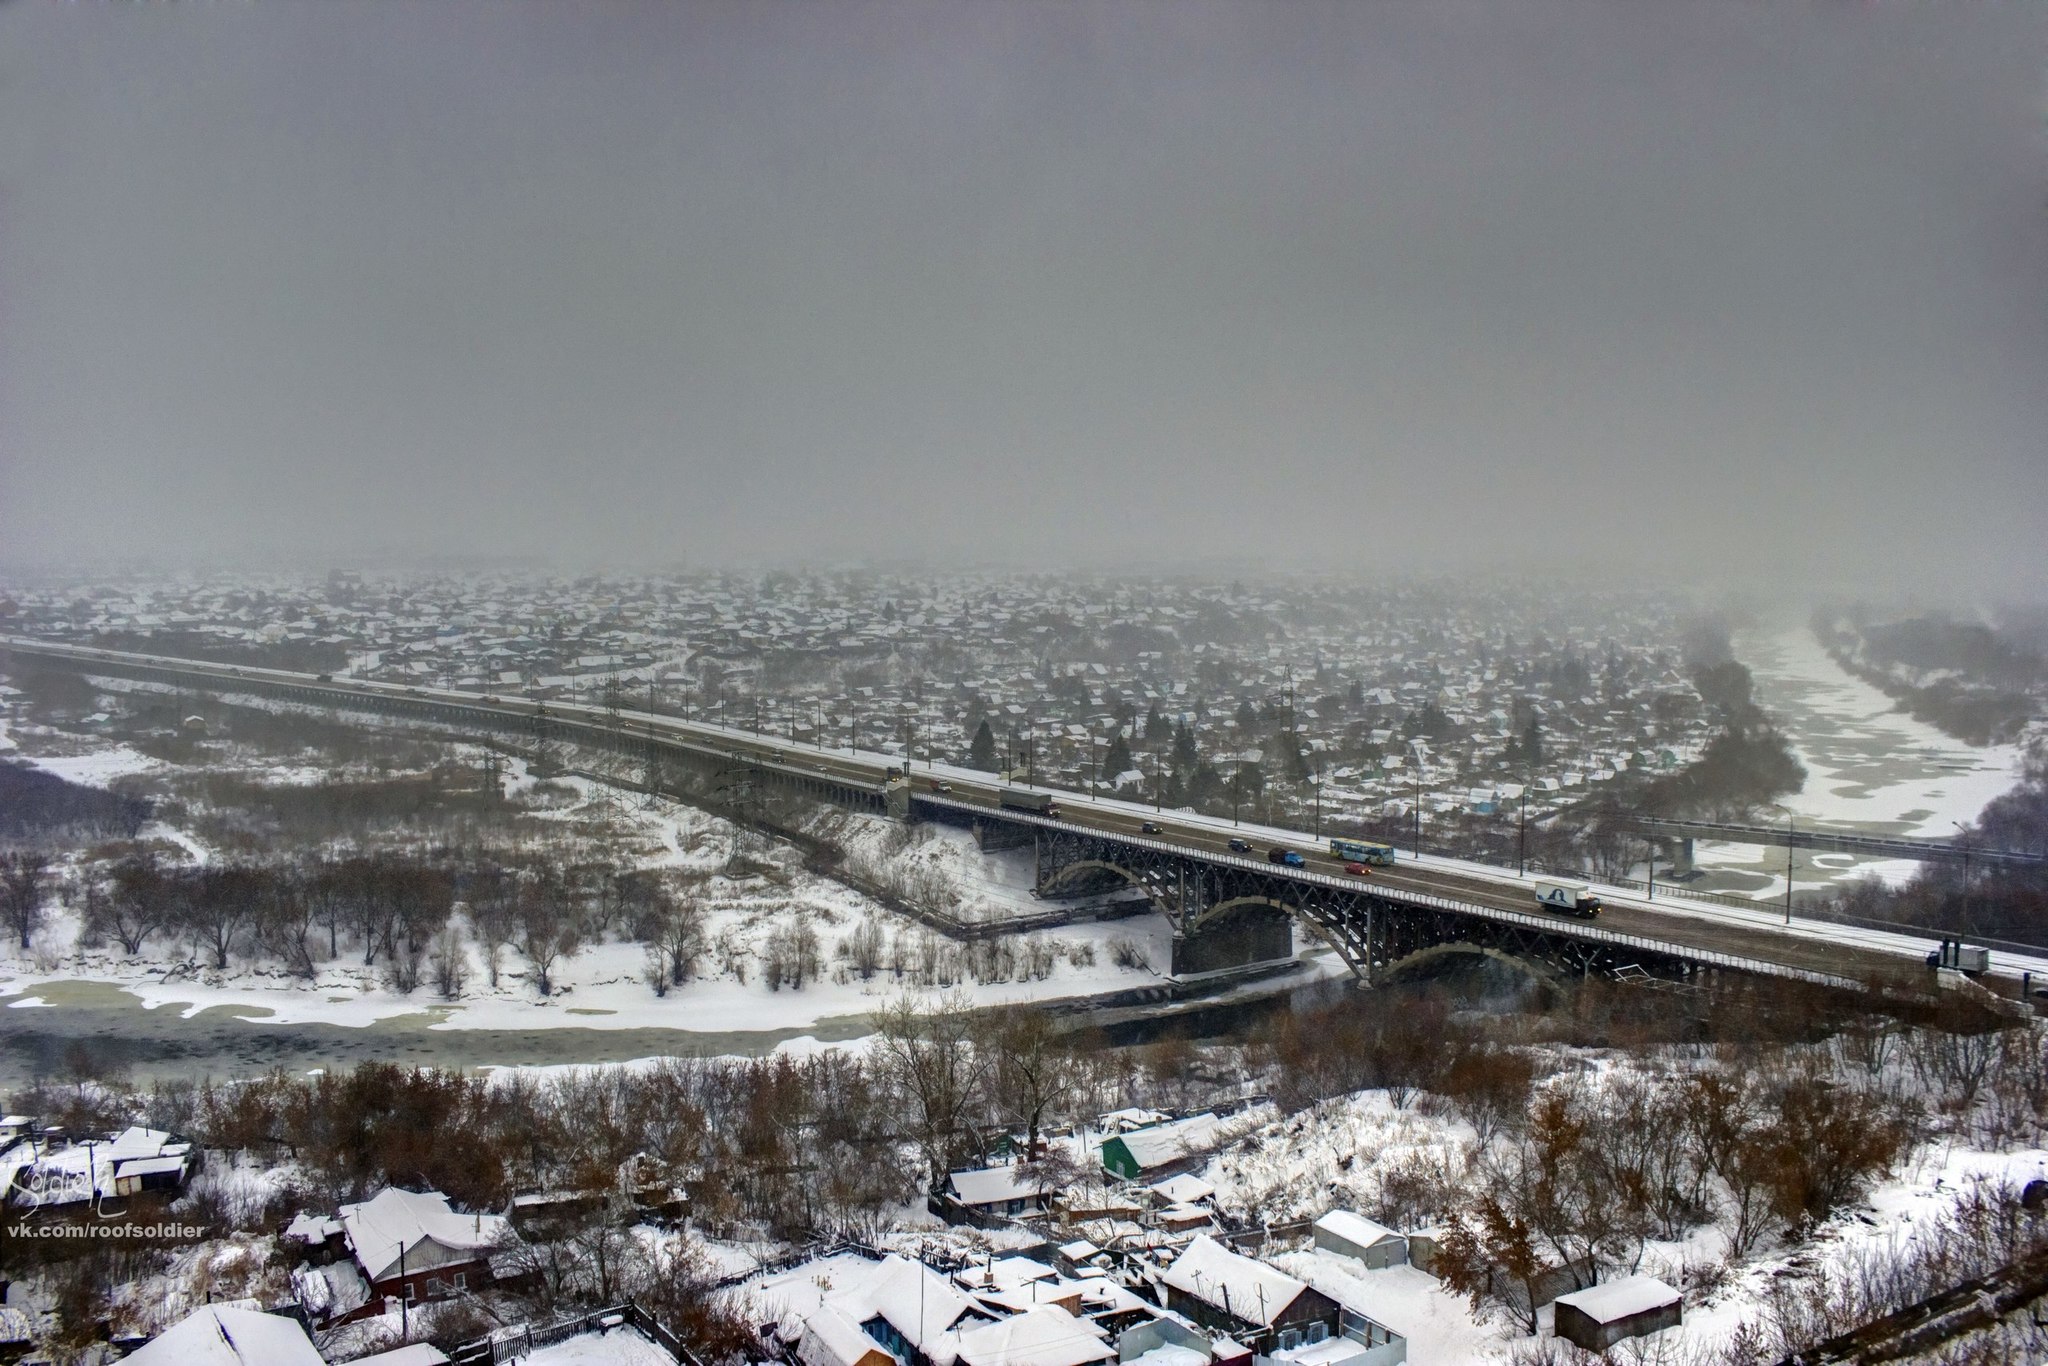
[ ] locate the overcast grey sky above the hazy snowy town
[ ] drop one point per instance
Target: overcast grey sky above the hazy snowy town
(1662, 286)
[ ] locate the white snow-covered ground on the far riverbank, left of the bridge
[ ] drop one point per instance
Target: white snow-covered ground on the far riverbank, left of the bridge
(605, 984)
